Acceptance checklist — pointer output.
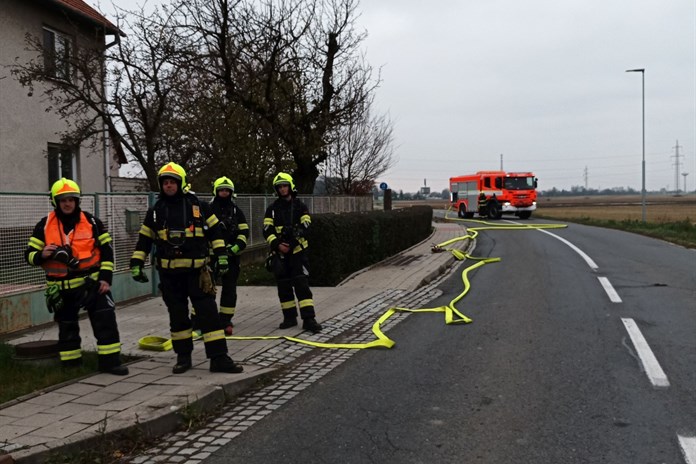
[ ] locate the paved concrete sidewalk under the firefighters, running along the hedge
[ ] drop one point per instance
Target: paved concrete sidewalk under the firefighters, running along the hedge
(151, 398)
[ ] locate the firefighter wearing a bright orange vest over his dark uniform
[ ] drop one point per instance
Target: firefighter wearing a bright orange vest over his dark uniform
(74, 249)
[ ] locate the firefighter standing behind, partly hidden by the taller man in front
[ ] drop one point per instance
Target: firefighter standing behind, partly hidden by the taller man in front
(236, 235)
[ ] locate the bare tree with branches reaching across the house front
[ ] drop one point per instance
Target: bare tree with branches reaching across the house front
(124, 90)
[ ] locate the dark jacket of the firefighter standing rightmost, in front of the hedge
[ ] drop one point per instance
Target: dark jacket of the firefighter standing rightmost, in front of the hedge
(287, 221)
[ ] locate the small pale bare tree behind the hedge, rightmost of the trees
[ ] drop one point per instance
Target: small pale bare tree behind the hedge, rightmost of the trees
(360, 152)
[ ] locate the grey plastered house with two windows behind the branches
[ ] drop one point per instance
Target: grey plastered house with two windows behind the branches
(31, 154)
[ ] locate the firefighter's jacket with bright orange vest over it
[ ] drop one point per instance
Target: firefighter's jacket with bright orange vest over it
(86, 238)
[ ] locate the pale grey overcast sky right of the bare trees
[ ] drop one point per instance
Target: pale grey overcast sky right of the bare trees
(540, 82)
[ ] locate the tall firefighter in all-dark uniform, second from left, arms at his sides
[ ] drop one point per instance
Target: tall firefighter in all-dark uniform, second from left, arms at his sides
(181, 232)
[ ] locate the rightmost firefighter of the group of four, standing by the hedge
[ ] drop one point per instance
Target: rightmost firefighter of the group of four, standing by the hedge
(285, 226)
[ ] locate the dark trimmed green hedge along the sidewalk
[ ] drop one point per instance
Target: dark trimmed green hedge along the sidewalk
(341, 244)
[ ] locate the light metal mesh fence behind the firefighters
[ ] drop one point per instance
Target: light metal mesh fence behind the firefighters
(122, 214)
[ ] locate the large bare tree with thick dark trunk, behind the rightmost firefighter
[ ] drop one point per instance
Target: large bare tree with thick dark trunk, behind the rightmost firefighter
(292, 64)
